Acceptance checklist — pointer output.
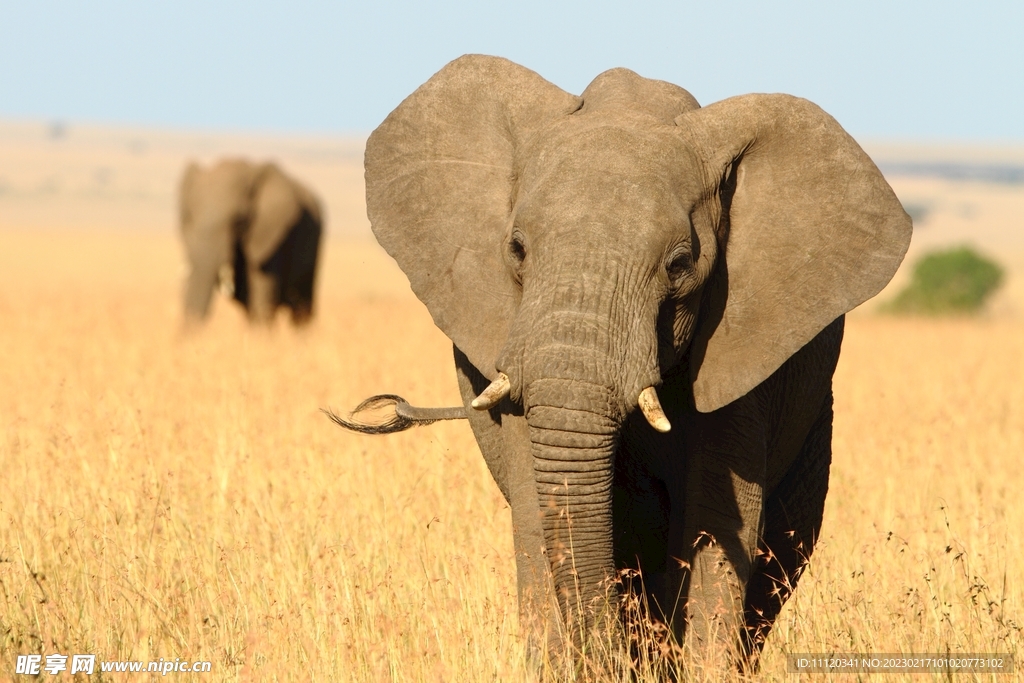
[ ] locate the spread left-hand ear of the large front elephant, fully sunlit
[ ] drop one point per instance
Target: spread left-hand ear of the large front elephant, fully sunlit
(440, 183)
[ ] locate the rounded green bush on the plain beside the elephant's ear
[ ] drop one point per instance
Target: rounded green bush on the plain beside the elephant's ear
(954, 281)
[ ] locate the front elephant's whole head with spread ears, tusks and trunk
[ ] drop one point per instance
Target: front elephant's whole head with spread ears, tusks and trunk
(579, 250)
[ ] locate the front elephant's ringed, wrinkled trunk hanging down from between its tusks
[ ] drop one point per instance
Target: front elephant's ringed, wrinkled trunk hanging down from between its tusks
(575, 413)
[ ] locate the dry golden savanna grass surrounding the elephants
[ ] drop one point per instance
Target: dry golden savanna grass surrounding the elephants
(170, 498)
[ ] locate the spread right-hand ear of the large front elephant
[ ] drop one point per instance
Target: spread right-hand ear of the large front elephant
(810, 228)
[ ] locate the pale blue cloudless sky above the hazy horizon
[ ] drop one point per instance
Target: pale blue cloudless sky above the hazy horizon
(929, 71)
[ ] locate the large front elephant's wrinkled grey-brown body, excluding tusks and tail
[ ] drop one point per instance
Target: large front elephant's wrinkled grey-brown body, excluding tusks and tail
(590, 247)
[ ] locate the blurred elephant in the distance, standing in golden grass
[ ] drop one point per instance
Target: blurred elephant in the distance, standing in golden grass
(253, 232)
